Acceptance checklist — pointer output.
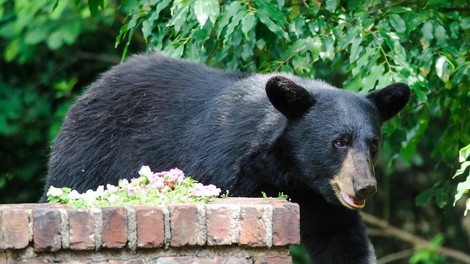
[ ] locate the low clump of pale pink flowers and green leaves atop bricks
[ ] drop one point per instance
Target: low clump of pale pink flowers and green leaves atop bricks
(160, 189)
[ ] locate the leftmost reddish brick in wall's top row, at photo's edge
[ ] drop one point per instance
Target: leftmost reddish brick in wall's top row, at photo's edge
(14, 230)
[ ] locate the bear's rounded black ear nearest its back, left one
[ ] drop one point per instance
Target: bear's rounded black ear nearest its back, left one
(287, 97)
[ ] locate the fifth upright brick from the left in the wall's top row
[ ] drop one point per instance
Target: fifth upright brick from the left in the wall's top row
(150, 226)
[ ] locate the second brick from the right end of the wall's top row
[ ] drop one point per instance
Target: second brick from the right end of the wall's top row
(253, 228)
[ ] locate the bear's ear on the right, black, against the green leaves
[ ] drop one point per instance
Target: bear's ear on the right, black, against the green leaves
(390, 100)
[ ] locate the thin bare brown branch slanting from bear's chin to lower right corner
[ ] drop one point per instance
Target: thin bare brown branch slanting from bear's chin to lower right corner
(415, 240)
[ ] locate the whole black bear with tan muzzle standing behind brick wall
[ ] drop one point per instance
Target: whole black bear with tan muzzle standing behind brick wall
(246, 133)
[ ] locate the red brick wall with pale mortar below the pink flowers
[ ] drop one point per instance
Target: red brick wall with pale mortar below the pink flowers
(235, 230)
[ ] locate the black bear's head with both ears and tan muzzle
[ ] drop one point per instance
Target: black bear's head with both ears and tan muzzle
(334, 135)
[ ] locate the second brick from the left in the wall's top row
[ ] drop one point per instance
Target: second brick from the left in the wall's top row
(46, 229)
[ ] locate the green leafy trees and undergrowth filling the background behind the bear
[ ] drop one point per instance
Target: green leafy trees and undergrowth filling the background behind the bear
(50, 51)
